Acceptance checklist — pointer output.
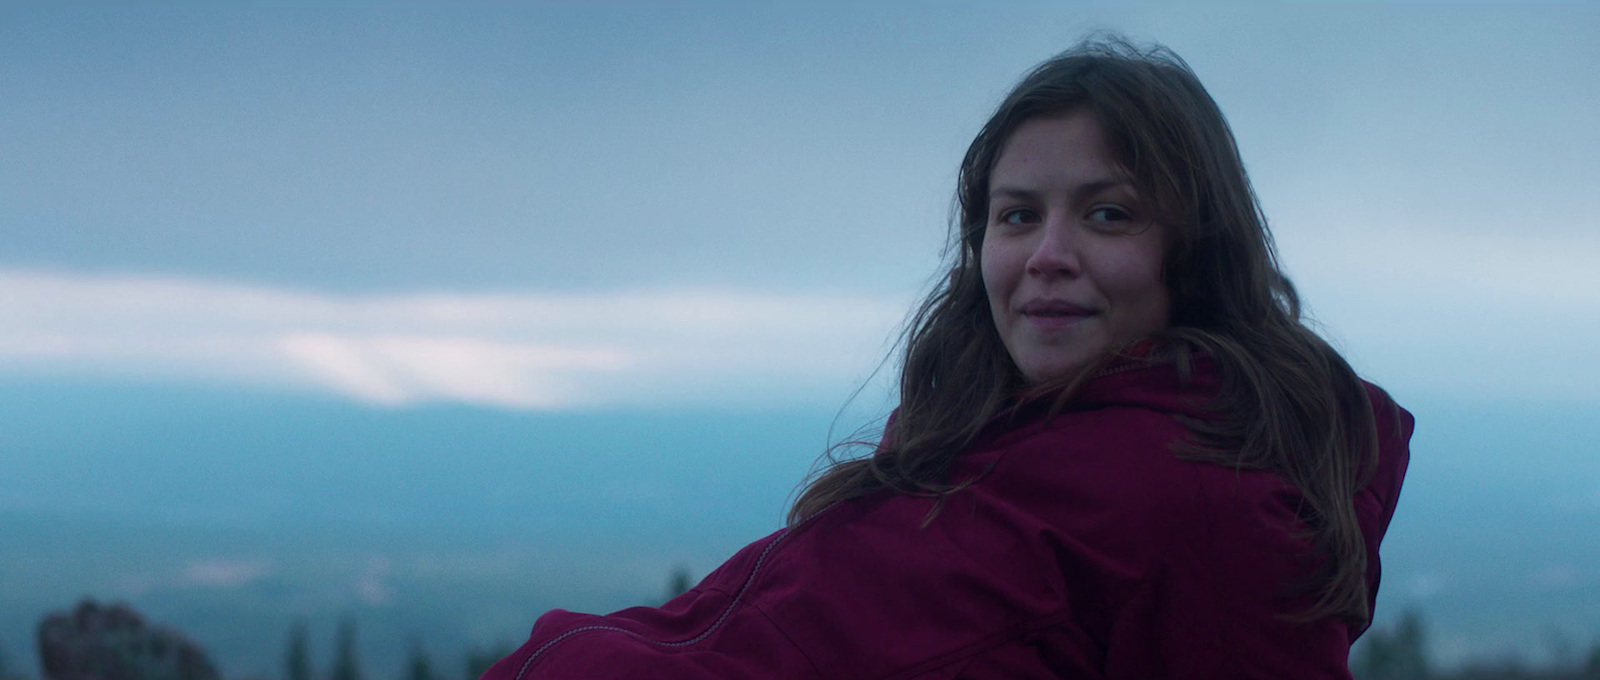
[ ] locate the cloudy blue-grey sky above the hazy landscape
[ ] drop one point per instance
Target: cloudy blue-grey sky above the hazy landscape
(553, 209)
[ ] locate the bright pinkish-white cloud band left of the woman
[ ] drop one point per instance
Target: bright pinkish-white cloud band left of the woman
(532, 351)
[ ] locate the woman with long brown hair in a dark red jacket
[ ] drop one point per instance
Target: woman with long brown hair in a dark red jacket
(1119, 454)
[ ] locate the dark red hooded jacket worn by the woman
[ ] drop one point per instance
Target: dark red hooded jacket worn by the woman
(1087, 551)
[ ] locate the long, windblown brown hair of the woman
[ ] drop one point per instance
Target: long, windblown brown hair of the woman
(1292, 406)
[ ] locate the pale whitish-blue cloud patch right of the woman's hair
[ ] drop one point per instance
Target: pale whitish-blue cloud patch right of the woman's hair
(1457, 311)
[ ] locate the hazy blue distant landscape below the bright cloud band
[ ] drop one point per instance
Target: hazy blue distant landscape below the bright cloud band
(457, 527)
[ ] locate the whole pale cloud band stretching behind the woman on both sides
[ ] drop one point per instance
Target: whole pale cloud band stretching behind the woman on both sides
(1417, 310)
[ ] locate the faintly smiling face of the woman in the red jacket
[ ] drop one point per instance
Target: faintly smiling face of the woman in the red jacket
(1071, 257)
